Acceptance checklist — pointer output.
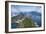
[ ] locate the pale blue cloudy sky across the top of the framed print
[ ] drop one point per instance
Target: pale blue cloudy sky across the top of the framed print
(24, 8)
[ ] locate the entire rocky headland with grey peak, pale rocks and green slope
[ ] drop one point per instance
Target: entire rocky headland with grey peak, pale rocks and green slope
(23, 21)
